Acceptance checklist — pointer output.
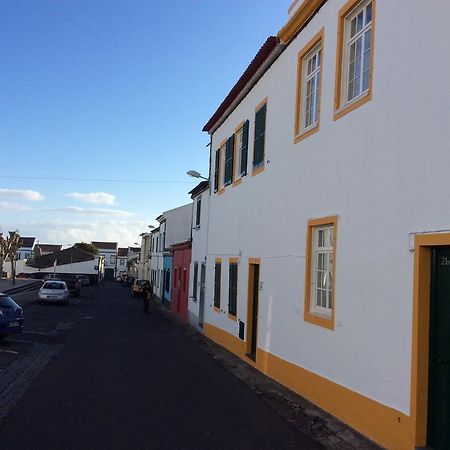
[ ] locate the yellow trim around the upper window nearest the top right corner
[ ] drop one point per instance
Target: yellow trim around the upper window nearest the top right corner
(340, 111)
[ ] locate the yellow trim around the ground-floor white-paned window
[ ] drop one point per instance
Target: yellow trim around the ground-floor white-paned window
(309, 316)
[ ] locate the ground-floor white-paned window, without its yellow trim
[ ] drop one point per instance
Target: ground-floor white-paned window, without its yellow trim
(322, 269)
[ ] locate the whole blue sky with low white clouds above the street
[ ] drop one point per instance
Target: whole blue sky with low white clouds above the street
(113, 90)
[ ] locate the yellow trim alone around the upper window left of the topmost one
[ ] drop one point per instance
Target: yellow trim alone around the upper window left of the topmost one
(315, 41)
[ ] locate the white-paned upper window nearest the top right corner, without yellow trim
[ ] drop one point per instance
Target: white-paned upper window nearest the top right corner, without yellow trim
(357, 52)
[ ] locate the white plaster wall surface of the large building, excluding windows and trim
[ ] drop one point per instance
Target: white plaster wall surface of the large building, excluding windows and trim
(383, 169)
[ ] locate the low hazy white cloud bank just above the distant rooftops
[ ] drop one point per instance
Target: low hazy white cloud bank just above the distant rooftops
(68, 232)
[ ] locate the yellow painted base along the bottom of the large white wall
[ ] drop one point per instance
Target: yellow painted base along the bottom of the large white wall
(384, 425)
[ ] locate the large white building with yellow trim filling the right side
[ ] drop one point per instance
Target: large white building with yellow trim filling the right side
(327, 159)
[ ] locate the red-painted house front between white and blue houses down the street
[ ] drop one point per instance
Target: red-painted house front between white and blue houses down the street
(180, 279)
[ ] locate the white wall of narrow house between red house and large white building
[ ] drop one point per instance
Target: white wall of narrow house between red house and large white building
(199, 254)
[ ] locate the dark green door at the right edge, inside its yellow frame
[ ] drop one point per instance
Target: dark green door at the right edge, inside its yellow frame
(439, 364)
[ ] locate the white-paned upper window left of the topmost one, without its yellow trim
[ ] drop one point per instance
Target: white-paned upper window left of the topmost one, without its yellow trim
(311, 67)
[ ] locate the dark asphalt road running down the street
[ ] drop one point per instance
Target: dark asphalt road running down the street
(119, 379)
